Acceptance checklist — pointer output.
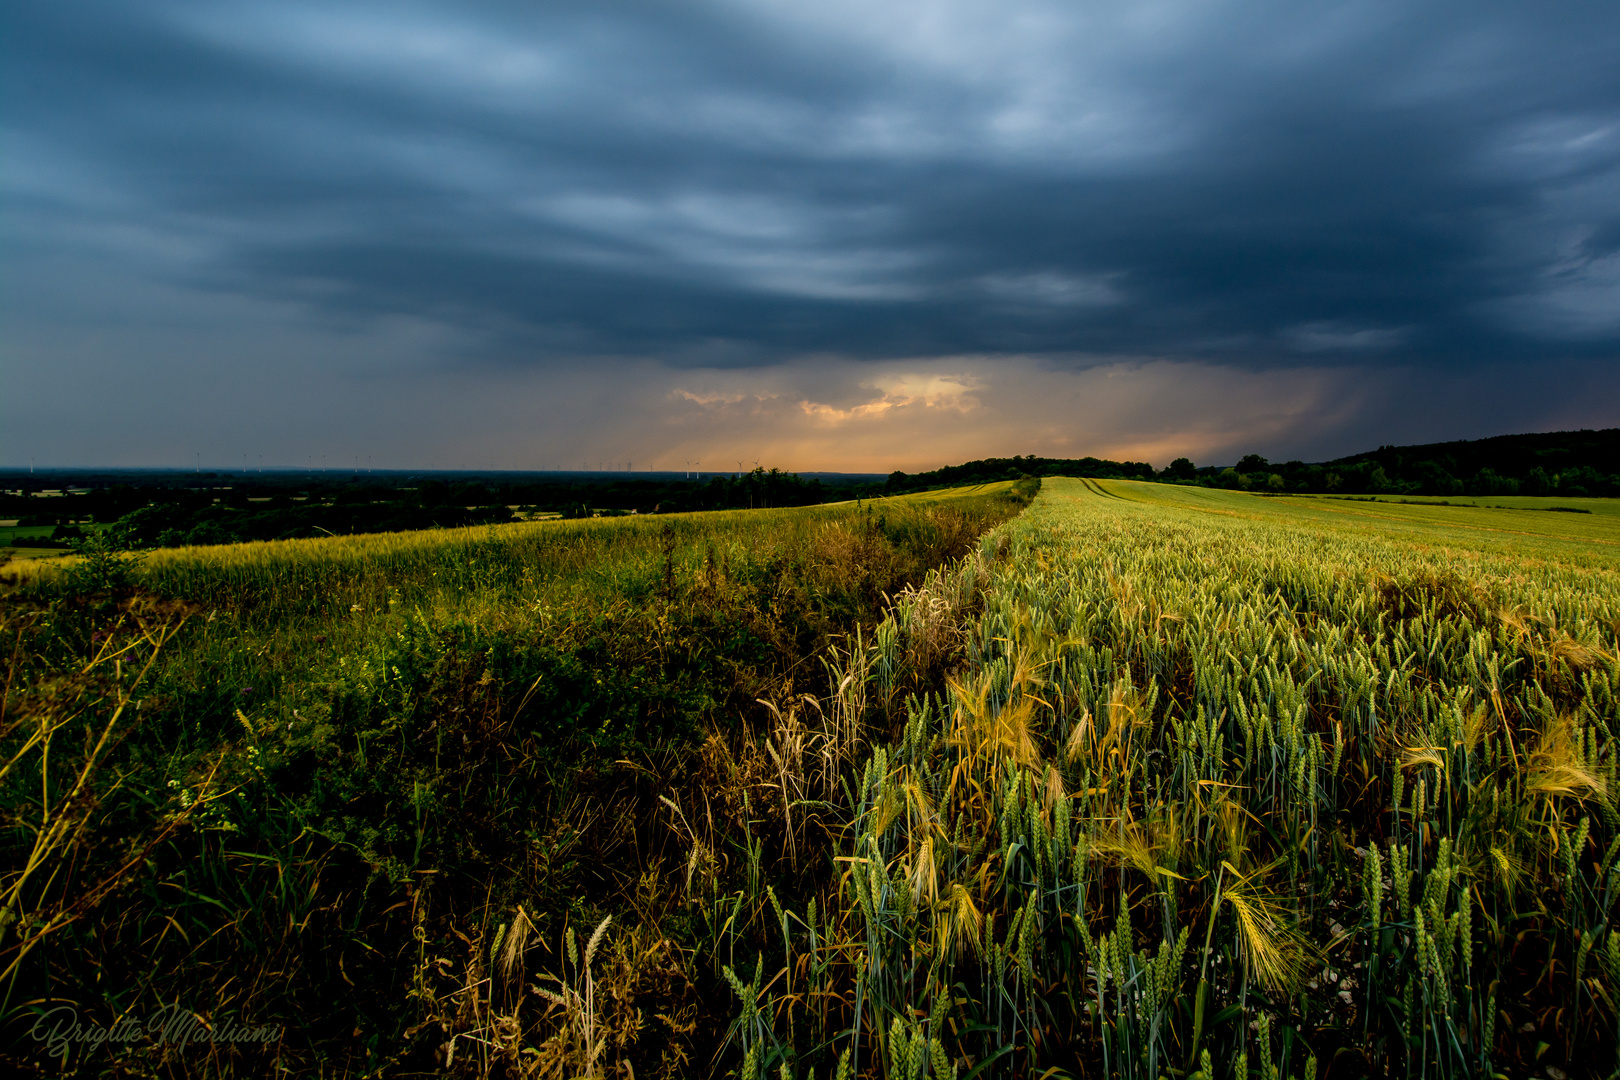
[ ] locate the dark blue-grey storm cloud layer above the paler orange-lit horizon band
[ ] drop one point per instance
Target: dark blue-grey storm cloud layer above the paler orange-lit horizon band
(735, 184)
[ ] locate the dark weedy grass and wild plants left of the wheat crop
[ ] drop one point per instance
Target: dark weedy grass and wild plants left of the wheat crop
(362, 791)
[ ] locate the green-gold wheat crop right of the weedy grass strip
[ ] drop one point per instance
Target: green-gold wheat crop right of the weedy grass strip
(1230, 786)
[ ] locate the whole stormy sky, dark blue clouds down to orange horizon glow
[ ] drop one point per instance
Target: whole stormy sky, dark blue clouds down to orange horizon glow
(850, 236)
